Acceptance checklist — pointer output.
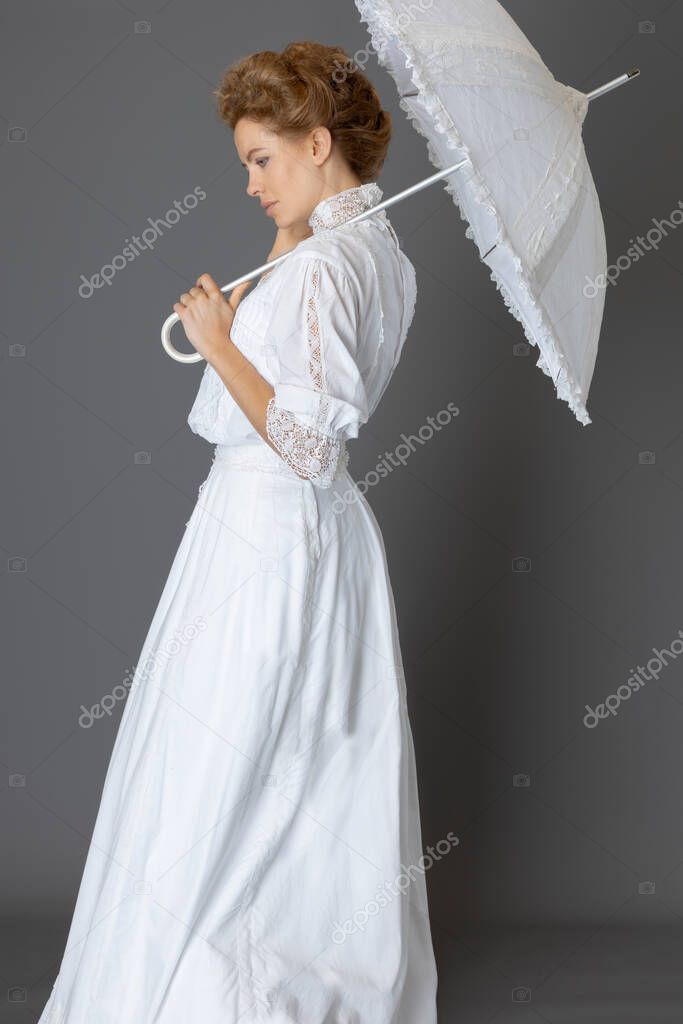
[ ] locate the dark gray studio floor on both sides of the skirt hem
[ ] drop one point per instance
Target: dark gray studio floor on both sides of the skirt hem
(511, 976)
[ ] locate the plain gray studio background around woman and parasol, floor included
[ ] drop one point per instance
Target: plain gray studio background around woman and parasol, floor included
(568, 881)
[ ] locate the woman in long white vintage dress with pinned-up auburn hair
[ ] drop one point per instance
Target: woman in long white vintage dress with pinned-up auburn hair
(258, 850)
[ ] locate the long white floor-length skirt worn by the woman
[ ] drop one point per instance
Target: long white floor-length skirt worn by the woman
(257, 855)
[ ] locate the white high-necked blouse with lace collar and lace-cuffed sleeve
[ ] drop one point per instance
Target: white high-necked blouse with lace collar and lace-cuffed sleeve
(326, 329)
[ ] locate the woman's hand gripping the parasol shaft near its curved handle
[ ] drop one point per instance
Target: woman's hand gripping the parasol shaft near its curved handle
(207, 316)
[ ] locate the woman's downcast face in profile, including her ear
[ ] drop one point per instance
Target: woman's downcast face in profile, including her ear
(285, 174)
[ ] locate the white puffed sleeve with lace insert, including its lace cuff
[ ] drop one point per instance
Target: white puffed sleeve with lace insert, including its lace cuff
(320, 398)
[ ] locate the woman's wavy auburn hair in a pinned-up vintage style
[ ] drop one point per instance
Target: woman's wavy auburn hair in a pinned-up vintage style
(305, 87)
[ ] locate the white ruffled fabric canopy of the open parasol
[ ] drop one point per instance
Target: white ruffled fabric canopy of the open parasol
(475, 87)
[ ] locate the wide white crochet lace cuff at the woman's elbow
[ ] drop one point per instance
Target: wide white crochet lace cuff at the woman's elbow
(309, 453)
